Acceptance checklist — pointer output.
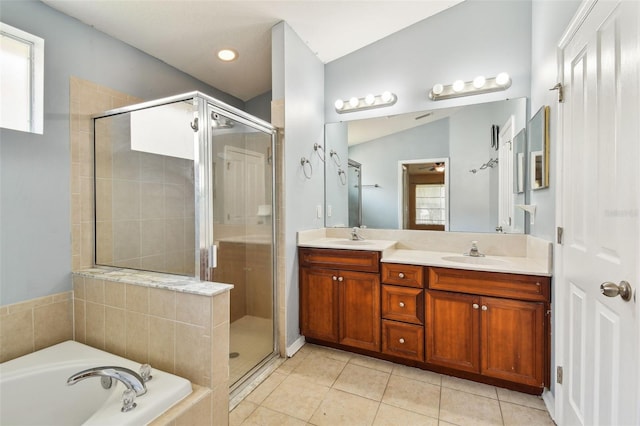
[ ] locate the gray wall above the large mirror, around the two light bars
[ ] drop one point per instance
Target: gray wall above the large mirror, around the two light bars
(472, 38)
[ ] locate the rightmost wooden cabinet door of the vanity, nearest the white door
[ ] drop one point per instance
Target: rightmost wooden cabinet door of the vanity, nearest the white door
(513, 340)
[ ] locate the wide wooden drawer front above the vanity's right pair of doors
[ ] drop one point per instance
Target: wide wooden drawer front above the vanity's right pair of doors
(513, 286)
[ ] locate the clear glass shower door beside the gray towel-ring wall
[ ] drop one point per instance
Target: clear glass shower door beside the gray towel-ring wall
(242, 186)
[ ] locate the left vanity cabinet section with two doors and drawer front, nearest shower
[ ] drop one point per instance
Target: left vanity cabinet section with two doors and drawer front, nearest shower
(340, 304)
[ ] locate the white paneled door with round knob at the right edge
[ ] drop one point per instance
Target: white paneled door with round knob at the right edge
(598, 207)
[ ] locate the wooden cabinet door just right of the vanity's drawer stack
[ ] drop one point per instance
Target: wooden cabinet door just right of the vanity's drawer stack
(452, 330)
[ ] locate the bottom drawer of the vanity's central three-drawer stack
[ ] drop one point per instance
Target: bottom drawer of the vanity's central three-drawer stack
(403, 340)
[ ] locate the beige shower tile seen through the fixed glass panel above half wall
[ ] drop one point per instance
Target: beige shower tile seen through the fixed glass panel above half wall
(145, 204)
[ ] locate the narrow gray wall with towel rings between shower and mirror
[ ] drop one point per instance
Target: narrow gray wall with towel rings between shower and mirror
(298, 77)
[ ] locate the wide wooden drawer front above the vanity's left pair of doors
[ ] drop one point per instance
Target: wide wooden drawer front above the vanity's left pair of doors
(351, 260)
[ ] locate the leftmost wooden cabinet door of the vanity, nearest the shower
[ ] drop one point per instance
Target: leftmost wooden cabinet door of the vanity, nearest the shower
(319, 303)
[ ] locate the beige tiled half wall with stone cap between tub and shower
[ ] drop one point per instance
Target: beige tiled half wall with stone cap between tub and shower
(177, 324)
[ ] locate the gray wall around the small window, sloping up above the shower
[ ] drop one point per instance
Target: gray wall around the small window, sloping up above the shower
(35, 254)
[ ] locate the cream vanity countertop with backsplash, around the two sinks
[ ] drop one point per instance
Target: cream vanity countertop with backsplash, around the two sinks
(523, 254)
